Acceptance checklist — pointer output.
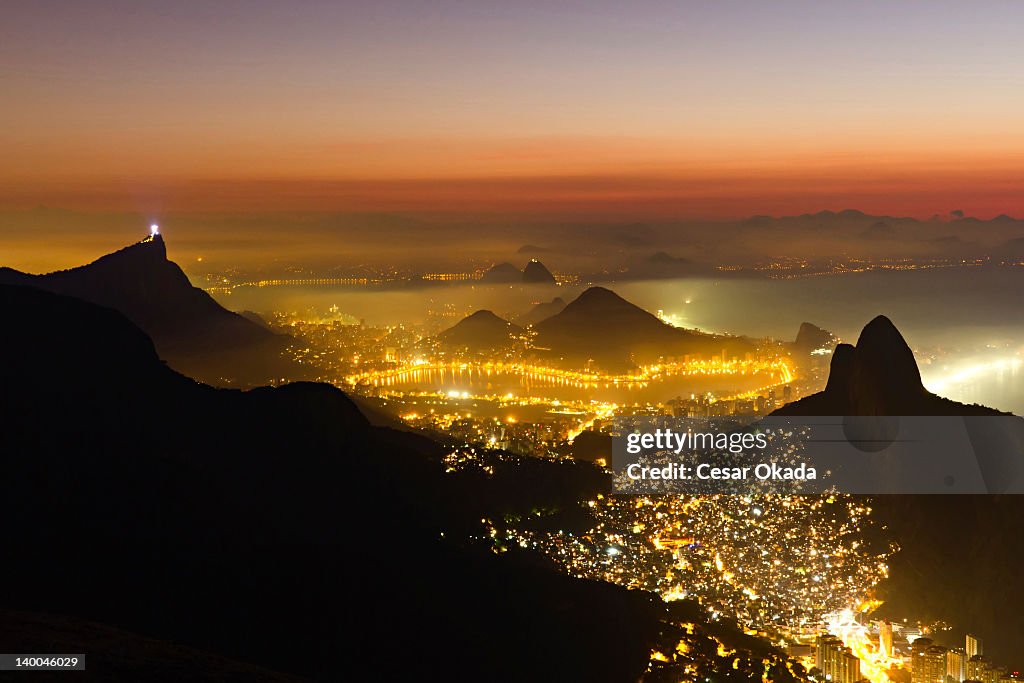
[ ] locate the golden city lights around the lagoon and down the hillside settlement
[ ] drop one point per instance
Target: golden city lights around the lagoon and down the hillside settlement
(801, 573)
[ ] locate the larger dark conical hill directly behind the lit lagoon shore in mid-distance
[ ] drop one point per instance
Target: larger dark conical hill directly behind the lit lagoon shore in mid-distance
(602, 326)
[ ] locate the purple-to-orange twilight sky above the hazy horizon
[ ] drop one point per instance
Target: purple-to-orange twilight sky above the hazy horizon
(655, 109)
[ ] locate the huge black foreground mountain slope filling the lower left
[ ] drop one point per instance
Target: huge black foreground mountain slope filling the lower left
(277, 527)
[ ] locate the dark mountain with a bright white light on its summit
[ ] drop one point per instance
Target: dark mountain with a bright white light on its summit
(192, 331)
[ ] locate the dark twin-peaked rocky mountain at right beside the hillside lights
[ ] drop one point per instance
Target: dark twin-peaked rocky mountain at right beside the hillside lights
(880, 377)
